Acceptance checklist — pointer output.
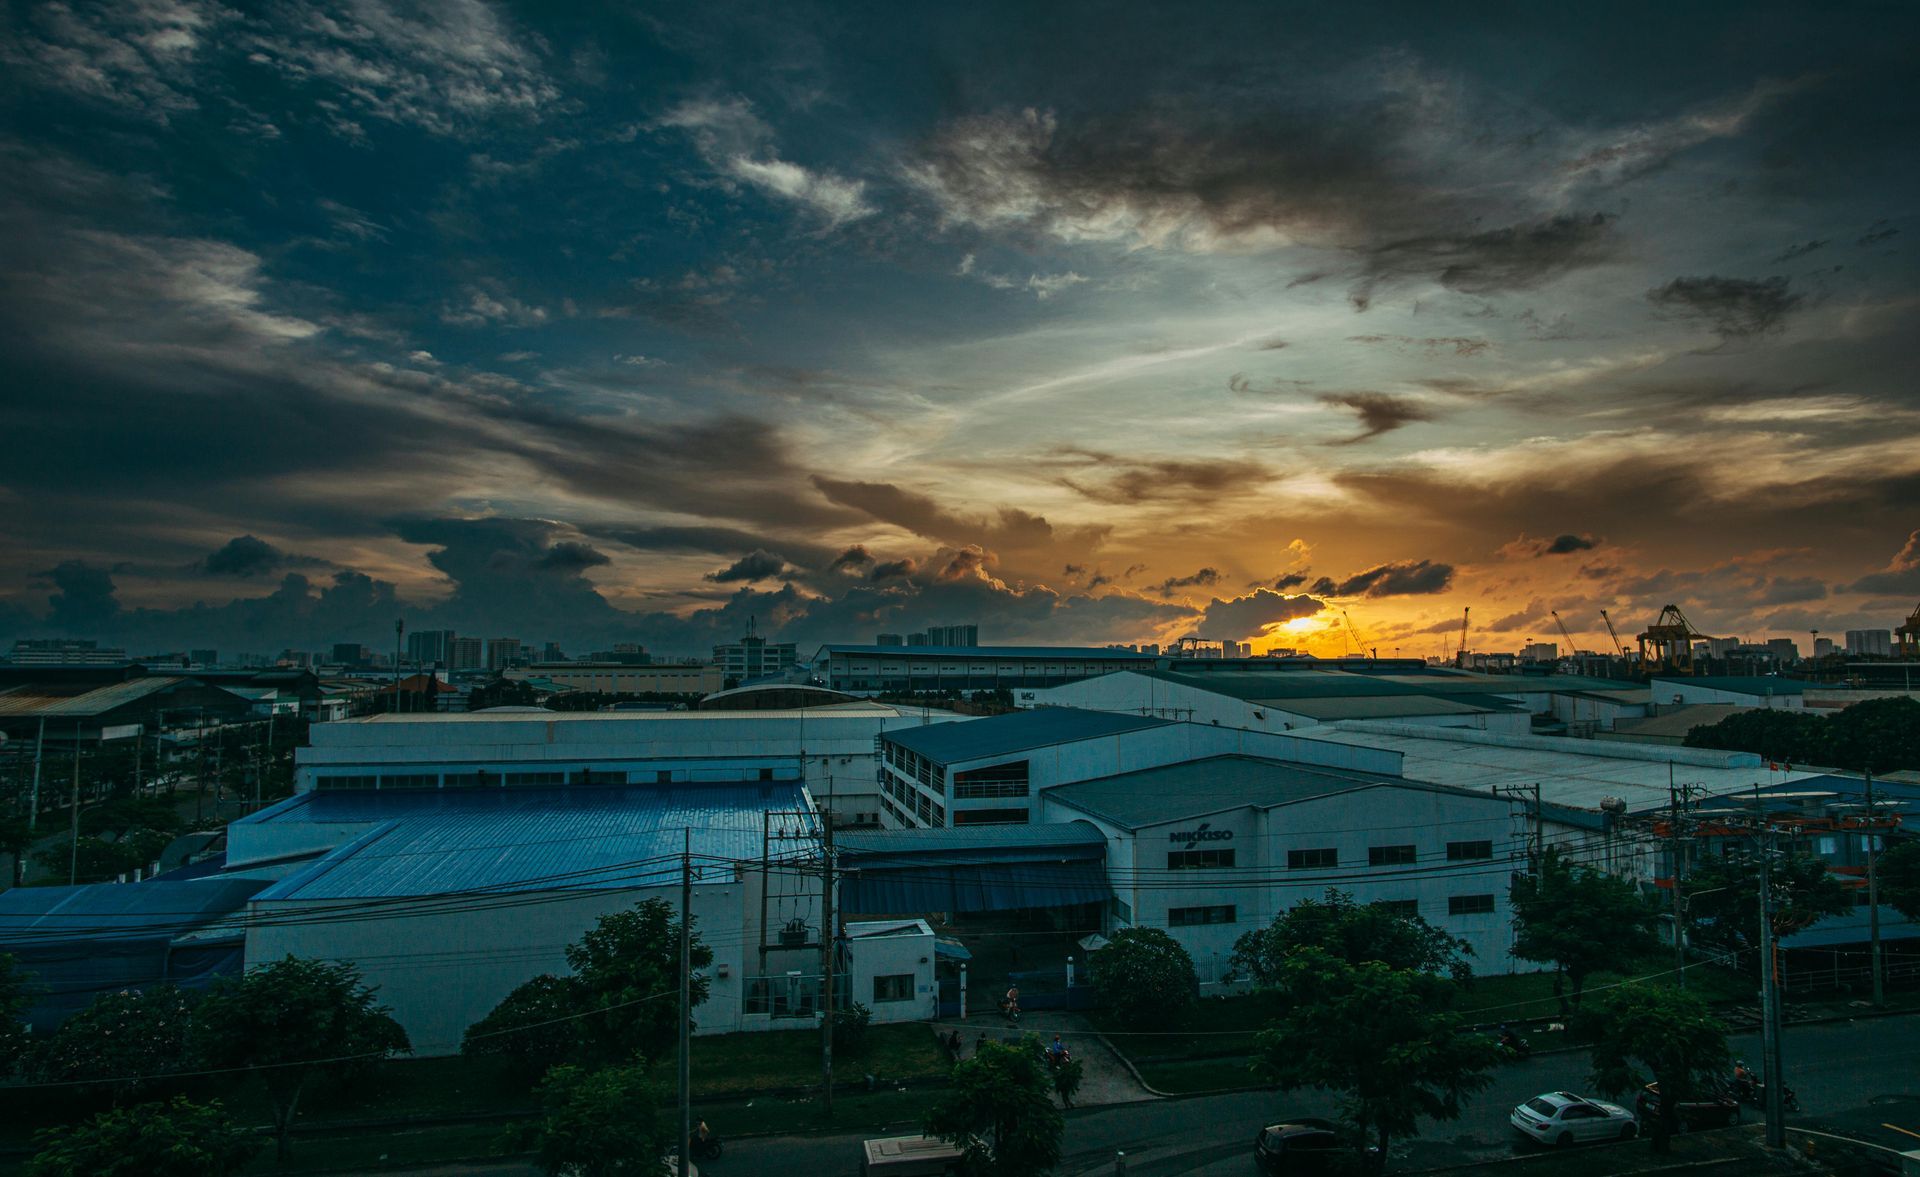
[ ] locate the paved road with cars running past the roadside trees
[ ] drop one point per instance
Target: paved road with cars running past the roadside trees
(1835, 1069)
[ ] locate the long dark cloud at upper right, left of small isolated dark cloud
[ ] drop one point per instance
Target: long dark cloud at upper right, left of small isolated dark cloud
(1495, 262)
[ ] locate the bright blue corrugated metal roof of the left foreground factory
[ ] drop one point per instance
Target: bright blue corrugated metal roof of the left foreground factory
(444, 842)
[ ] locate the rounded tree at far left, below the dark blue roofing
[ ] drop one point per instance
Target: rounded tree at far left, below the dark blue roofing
(122, 1042)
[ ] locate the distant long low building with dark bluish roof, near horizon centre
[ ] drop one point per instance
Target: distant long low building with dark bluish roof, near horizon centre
(880, 669)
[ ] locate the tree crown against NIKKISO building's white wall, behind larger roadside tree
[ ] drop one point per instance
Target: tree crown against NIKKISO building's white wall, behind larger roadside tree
(1353, 932)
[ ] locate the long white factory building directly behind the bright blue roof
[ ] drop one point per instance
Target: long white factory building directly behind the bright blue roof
(828, 750)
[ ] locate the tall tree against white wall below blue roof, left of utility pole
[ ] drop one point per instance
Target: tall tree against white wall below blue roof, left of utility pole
(625, 967)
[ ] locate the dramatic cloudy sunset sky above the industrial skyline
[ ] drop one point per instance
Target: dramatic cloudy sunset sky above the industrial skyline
(1084, 324)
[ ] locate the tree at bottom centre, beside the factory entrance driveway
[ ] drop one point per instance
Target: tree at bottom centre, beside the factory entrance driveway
(999, 1113)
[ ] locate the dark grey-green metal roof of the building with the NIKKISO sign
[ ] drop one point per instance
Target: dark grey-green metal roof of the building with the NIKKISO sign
(1197, 788)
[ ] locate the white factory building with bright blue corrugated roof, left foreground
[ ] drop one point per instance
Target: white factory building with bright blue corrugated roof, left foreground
(448, 900)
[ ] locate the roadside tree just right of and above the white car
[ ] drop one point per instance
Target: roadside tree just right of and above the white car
(1656, 1030)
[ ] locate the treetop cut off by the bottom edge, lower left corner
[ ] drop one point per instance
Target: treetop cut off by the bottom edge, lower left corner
(176, 1140)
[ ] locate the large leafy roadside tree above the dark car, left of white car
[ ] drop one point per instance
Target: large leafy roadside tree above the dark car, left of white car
(1385, 1040)
